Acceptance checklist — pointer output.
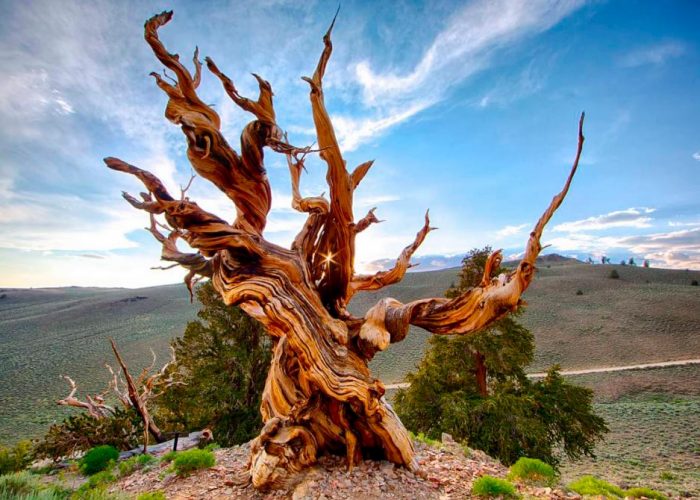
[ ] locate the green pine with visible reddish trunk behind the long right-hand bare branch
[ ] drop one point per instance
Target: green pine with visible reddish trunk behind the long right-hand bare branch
(475, 388)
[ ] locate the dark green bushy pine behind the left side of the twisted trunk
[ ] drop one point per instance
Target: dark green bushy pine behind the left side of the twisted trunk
(222, 363)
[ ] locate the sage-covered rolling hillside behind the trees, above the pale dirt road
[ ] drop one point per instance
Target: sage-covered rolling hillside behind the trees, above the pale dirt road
(646, 315)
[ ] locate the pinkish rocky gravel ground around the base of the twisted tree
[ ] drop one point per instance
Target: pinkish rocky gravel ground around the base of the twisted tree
(447, 472)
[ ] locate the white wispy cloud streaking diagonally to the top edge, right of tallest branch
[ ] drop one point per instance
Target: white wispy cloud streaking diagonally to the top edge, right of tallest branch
(463, 47)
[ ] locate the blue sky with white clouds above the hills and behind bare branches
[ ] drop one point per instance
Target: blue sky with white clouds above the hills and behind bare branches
(469, 109)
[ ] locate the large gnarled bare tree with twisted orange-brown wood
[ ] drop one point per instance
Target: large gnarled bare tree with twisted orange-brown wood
(319, 395)
